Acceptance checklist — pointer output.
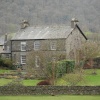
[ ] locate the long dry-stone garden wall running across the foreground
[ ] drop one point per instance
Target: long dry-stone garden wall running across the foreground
(49, 90)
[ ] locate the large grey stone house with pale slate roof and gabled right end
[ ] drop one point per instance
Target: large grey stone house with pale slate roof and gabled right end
(46, 43)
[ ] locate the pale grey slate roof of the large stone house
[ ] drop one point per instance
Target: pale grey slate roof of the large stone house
(53, 32)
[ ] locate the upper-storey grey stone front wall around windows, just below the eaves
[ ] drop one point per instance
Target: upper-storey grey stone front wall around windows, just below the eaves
(45, 45)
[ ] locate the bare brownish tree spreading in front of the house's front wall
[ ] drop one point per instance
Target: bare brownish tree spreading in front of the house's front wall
(43, 64)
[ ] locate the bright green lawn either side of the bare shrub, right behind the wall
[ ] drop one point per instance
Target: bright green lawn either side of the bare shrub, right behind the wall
(88, 79)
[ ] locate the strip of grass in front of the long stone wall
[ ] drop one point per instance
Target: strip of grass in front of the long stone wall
(58, 97)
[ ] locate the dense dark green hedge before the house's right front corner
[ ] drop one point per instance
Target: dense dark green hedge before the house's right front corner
(60, 68)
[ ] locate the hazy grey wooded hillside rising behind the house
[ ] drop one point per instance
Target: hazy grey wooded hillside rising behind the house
(48, 12)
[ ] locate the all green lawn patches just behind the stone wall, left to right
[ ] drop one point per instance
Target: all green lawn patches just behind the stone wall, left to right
(89, 80)
